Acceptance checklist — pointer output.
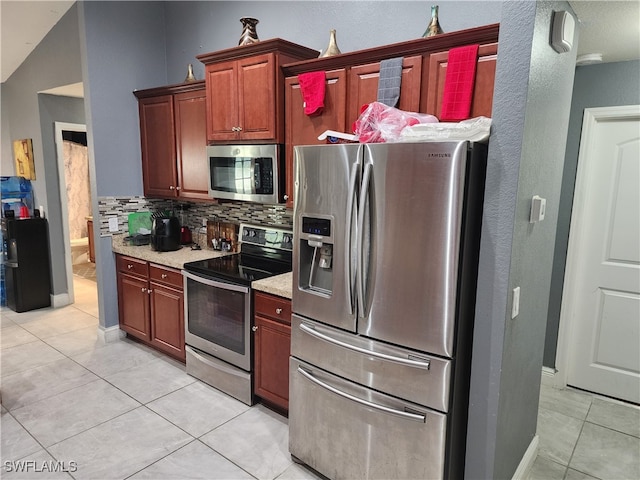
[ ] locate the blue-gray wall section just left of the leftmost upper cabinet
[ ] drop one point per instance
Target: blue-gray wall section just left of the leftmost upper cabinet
(123, 48)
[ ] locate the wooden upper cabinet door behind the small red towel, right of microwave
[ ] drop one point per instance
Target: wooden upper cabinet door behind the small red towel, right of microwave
(302, 129)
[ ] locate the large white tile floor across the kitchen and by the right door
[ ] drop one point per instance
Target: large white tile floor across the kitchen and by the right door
(122, 410)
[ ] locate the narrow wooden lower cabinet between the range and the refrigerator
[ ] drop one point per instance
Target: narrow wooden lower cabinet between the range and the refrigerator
(272, 340)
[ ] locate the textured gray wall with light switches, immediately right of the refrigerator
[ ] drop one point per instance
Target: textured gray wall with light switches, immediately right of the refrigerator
(526, 151)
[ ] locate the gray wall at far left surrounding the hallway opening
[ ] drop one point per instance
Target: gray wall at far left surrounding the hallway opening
(26, 114)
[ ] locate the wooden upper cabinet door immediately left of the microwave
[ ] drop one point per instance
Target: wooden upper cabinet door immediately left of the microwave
(191, 145)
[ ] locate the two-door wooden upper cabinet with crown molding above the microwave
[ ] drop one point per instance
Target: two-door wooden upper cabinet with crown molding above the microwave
(245, 90)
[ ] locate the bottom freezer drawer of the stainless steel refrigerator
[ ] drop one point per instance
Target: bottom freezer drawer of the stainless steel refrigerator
(343, 430)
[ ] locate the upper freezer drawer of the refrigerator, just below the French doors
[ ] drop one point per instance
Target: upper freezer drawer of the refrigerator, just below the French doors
(413, 376)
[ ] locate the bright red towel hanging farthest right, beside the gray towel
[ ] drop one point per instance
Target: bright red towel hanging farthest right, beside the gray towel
(459, 83)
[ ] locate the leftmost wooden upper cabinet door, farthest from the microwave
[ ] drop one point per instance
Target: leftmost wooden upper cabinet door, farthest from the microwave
(157, 138)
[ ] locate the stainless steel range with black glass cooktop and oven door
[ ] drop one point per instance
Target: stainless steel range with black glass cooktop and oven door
(218, 308)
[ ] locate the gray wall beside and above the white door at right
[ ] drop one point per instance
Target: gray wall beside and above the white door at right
(605, 85)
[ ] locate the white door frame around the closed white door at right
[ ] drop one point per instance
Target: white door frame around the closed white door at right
(592, 116)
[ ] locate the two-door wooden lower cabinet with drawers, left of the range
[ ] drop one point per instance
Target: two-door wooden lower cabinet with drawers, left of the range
(151, 304)
